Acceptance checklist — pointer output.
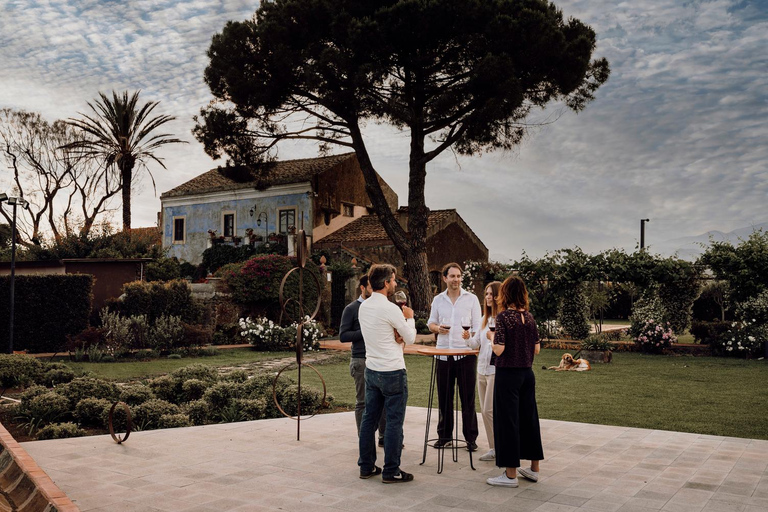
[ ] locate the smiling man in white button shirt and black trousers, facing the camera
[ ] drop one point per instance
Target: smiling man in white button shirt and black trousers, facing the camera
(448, 308)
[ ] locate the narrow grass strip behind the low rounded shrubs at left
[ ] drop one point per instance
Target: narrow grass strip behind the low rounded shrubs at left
(137, 370)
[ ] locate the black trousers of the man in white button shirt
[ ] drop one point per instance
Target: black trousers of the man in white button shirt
(448, 374)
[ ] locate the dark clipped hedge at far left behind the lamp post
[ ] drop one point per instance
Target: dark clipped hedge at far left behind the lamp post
(47, 309)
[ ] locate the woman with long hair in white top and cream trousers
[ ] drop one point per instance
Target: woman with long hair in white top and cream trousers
(486, 372)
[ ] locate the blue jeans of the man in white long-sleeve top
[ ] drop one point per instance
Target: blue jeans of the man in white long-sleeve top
(385, 393)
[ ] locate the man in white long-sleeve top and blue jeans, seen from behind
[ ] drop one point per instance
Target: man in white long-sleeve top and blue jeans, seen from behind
(386, 328)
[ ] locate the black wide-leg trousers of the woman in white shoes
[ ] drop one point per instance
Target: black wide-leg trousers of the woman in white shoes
(516, 429)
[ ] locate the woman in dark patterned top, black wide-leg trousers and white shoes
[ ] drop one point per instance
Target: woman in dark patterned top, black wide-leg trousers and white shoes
(516, 418)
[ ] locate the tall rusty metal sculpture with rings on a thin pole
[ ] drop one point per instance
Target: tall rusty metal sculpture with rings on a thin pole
(302, 253)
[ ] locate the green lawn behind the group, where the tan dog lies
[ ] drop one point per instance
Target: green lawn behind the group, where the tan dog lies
(705, 395)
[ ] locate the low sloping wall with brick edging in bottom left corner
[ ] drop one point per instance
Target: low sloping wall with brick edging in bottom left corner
(24, 487)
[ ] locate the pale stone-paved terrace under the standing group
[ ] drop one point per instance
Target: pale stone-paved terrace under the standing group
(259, 465)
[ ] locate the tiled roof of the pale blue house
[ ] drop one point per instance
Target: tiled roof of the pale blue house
(269, 174)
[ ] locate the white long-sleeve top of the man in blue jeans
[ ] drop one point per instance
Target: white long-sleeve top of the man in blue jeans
(378, 319)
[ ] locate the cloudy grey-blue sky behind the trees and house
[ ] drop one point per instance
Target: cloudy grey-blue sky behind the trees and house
(678, 135)
